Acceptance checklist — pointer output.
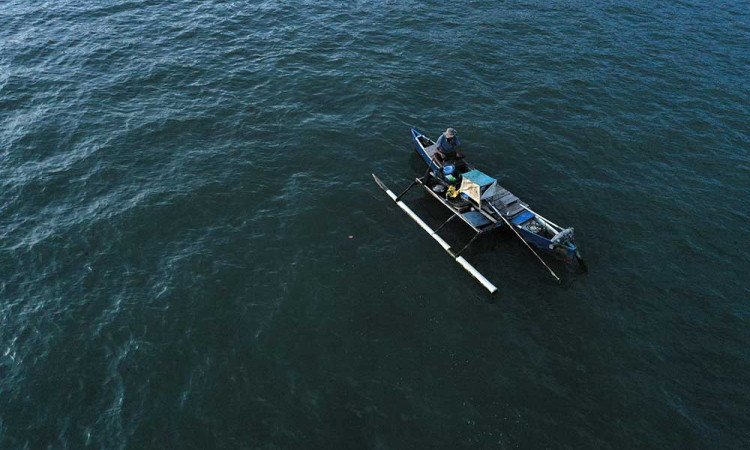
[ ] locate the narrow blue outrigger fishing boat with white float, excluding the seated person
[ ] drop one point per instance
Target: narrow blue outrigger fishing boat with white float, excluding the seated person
(482, 204)
